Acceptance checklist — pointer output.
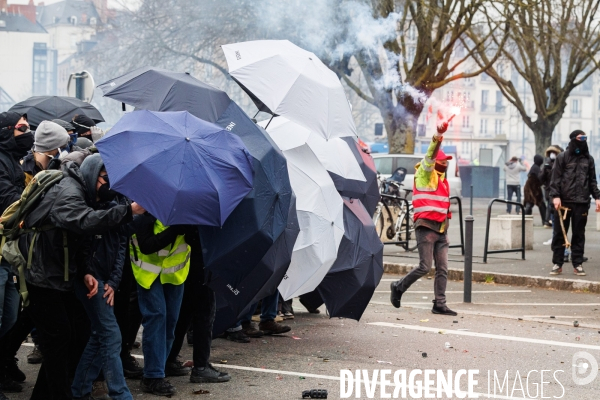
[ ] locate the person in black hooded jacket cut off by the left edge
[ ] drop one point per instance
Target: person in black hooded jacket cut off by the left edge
(15, 141)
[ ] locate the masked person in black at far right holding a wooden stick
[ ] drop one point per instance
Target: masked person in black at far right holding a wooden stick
(573, 182)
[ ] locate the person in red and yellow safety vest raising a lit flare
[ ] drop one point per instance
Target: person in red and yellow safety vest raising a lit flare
(431, 203)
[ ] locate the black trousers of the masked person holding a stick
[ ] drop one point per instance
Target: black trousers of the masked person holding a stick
(576, 216)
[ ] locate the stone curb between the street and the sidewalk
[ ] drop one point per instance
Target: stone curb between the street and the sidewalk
(504, 279)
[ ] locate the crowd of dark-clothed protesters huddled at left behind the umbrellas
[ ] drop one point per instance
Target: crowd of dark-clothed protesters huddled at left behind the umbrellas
(87, 267)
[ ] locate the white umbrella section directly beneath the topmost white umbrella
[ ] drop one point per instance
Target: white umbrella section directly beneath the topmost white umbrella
(334, 154)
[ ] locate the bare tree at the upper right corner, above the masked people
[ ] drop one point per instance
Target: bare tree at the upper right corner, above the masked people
(553, 46)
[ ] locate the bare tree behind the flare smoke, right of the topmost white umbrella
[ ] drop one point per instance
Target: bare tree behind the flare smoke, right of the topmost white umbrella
(441, 26)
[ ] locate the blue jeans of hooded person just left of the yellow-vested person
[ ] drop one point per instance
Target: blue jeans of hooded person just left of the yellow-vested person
(103, 348)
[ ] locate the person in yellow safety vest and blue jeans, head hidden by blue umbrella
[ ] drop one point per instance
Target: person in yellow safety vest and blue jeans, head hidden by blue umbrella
(160, 259)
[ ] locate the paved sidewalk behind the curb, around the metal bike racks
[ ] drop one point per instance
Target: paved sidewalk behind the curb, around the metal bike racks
(538, 261)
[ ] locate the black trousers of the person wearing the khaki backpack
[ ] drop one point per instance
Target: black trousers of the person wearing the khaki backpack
(63, 332)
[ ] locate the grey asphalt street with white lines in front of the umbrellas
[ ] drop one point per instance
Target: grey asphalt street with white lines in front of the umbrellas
(487, 335)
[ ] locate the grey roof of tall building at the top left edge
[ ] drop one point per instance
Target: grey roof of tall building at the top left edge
(60, 12)
